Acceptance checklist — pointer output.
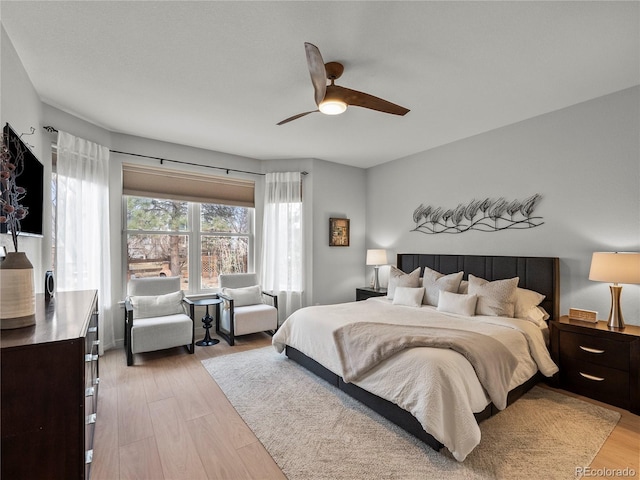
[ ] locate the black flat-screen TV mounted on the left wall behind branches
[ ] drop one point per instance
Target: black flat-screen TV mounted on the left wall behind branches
(31, 180)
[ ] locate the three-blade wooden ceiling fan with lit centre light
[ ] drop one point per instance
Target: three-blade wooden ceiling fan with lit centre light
(333, 99)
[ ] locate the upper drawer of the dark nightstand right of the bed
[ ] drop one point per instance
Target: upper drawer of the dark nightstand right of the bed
(594, 349)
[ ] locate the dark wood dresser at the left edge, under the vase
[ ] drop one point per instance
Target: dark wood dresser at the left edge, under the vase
(49, 390)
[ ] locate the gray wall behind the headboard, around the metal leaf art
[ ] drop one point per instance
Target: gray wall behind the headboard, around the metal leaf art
(584, 160)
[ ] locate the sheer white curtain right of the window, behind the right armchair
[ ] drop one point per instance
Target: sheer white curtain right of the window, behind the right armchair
(282, 255)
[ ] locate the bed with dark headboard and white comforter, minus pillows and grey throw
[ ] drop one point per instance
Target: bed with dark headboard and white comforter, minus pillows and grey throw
(433, 393)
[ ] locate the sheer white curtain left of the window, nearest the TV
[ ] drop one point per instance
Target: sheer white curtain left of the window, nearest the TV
(82, 224)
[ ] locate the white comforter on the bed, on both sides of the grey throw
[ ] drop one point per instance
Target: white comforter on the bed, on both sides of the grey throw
(438, 386)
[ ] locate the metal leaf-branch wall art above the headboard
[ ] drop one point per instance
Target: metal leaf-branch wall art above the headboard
(486, 215)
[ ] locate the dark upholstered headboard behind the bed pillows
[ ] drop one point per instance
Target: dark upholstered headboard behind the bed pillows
(541, 274)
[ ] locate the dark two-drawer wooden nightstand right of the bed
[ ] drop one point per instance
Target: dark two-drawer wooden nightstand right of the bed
(597, 362)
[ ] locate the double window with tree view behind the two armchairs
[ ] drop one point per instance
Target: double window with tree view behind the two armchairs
(195, 241)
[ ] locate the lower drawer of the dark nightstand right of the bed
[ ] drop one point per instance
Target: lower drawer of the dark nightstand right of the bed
(596, 381)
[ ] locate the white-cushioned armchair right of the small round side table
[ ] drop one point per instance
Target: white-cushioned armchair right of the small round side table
(244, 310)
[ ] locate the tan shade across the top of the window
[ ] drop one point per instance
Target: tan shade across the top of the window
(145, 181)
